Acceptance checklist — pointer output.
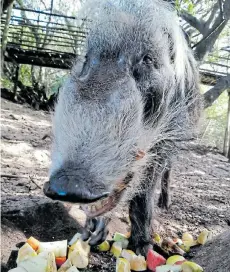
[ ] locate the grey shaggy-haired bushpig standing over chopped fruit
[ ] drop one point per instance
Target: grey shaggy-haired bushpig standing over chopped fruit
(130, 98)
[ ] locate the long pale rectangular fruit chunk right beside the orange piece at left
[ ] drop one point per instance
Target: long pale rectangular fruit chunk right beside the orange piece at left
(59, 248)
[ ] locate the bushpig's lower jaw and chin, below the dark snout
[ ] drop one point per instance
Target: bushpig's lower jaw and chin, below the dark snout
(106, 204)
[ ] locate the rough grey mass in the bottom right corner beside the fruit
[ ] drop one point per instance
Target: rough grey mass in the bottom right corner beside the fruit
(215, 255)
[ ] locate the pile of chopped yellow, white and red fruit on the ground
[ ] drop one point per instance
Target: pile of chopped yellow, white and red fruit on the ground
(60, 256)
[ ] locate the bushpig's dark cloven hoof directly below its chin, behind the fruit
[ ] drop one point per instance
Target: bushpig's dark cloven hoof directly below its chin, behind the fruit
(95, 231)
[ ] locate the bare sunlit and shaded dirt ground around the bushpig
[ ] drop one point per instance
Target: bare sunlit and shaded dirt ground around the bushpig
(201, 190)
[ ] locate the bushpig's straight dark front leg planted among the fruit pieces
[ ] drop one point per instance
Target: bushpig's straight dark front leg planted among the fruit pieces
(140, 213)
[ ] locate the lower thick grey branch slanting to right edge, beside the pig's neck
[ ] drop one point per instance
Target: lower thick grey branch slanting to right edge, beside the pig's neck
(211, 95)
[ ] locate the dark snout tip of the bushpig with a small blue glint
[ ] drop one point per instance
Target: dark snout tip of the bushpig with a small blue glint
(64, 190)
